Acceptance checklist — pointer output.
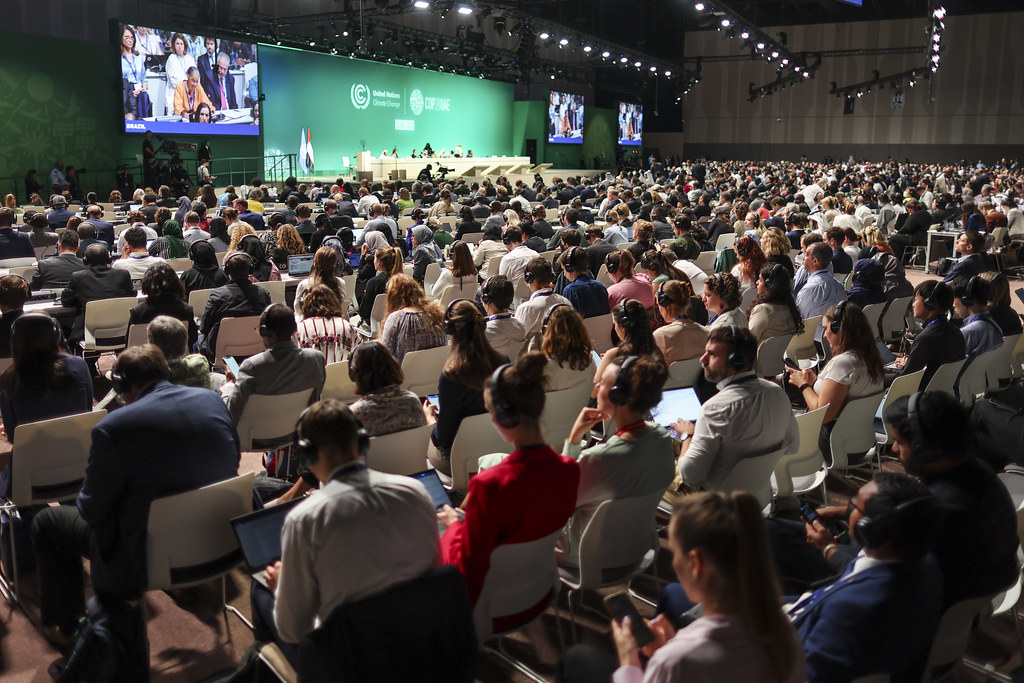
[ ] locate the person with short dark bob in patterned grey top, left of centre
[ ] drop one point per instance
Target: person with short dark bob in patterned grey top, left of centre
(383, 407)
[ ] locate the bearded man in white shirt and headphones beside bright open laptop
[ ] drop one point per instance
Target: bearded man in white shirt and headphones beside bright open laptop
(748, 417)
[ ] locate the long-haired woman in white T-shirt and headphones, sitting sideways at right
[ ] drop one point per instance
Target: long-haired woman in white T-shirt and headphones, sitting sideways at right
(855, 371)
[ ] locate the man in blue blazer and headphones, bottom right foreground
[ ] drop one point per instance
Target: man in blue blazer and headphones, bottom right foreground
(882, 614)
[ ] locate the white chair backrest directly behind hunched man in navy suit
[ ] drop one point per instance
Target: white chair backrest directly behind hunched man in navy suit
(177, 560)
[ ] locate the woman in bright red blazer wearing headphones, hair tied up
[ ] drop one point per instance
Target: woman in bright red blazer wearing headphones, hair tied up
(528, 496)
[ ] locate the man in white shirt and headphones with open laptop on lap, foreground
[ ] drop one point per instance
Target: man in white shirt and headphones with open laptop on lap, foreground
(363, 533)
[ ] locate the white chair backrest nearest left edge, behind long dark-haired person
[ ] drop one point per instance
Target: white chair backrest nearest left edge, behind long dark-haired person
(50, 459)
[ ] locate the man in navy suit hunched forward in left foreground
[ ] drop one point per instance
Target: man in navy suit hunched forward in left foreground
(138, 456)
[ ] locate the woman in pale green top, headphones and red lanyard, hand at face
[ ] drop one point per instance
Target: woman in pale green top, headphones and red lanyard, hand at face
(637, 460)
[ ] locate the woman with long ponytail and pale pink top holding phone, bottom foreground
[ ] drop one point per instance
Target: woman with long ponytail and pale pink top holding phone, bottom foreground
(736, 639)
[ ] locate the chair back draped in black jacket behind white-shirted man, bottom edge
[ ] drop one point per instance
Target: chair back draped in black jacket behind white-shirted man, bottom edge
(439, 645)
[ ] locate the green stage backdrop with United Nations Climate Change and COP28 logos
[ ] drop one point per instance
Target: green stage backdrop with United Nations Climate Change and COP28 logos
(348, 106)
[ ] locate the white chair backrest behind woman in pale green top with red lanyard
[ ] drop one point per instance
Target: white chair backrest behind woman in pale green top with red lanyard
(617, 540)
